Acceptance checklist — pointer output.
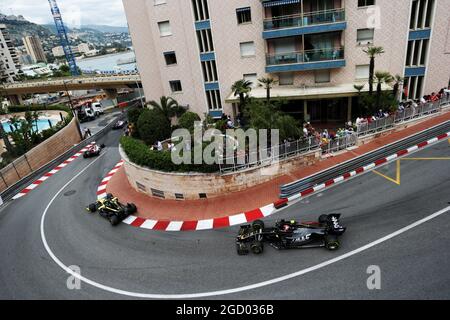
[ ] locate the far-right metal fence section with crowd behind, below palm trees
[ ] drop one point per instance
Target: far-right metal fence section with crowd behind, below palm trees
(408, 114)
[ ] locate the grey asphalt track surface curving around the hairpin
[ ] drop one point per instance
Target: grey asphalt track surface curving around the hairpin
(413, 264)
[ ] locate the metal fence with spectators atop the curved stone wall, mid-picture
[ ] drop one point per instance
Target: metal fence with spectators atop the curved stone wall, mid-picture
(269, 156)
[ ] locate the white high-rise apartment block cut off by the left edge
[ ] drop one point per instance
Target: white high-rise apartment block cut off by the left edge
(9, 60)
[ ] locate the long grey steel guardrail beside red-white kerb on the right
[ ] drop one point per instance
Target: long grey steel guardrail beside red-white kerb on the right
(322, 177)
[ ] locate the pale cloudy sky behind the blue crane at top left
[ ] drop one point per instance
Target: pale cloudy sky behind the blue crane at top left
(74, 12)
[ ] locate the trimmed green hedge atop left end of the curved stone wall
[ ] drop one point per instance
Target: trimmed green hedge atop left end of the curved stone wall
(139, 153)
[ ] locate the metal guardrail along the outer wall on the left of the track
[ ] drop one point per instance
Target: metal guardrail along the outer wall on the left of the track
(11, 191)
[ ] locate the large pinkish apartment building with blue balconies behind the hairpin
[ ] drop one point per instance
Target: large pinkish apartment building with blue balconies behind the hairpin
(194, 50)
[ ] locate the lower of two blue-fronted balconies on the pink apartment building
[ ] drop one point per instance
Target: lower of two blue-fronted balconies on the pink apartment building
(306, 60)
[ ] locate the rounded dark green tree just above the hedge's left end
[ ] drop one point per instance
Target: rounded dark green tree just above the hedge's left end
(153, 126)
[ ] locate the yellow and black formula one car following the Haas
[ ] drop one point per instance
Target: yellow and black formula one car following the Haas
(110, 208)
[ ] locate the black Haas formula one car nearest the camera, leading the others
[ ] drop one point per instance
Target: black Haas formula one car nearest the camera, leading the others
(291, 235)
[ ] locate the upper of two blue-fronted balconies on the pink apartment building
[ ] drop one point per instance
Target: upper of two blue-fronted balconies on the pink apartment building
(307, 23)
